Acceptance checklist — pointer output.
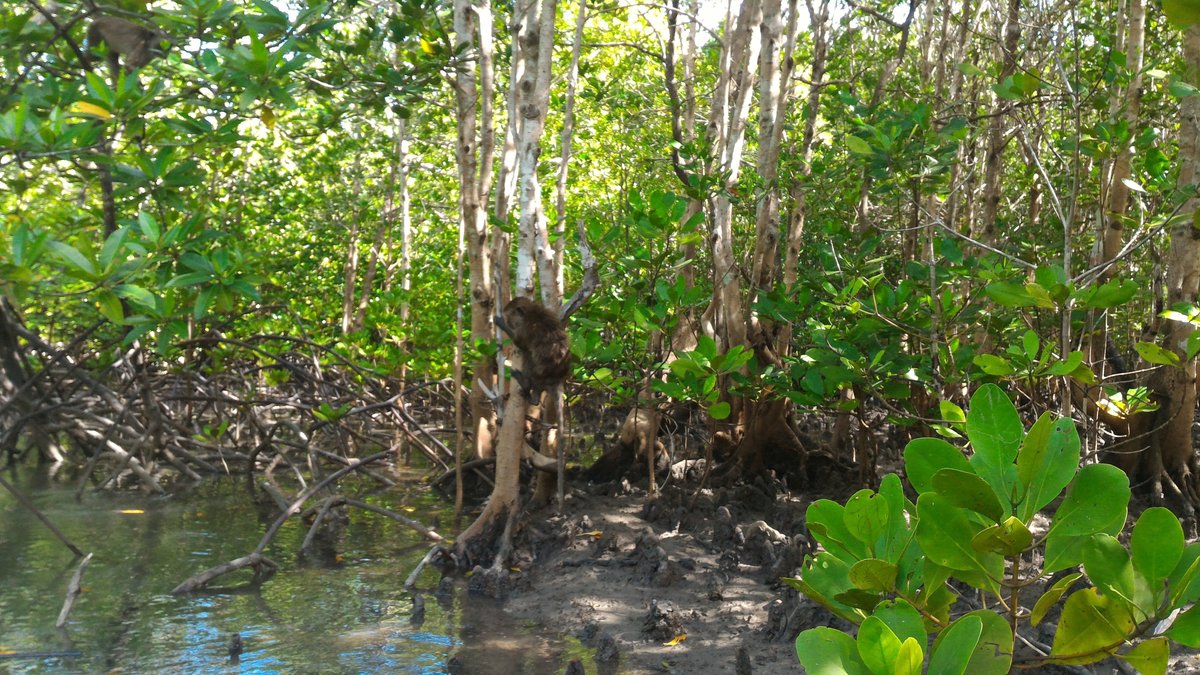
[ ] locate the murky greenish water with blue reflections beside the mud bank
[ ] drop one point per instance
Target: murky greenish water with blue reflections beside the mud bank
(347, 614)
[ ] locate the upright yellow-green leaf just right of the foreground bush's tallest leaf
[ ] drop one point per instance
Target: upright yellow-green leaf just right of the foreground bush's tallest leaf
(1047, 463)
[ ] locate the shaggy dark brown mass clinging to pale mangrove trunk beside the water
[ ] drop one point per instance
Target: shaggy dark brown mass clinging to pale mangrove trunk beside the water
(544, 345)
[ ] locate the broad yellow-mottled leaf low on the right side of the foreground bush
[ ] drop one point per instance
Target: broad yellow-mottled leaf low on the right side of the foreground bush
(1091, 629)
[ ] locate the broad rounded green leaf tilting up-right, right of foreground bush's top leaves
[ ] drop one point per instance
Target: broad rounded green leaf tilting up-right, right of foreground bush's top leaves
(1097, 500)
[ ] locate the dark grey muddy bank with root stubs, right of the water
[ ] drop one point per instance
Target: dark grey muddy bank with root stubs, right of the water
(688, 583)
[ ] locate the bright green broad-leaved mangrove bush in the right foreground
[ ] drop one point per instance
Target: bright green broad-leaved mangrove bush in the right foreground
(887, 561)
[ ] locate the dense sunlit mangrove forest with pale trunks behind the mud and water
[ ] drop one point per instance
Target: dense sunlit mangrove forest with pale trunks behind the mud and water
(847, 214)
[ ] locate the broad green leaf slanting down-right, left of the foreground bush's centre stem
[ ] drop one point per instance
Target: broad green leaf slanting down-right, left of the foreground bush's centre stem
(945, 534)
